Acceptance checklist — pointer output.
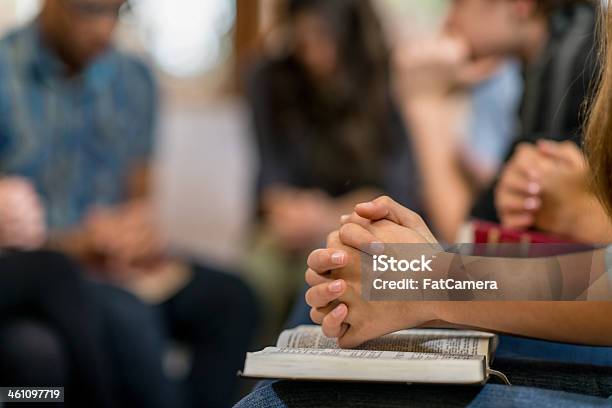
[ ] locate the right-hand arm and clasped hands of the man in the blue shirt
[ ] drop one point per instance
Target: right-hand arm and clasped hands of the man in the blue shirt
(125, 235)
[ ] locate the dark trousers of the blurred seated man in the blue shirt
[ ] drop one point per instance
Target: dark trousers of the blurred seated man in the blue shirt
(214, 318)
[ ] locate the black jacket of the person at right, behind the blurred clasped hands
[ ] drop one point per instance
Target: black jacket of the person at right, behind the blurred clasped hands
(556, 88)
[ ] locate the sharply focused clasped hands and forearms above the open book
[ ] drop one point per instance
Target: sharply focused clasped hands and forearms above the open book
(337, 303)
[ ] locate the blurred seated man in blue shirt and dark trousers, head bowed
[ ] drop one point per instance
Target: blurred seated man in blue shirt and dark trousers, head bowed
(77, 119)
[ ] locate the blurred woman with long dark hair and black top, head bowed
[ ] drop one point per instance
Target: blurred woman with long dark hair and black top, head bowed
(329, 135)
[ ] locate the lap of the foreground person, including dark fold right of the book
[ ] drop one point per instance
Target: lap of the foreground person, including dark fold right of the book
(536, 383)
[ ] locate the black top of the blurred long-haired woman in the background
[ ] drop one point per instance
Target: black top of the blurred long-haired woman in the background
(316, 139)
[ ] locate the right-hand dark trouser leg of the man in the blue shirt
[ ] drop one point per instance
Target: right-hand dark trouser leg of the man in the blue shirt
(216, 318)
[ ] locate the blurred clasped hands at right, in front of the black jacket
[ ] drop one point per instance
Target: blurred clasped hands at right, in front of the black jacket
(546, 187)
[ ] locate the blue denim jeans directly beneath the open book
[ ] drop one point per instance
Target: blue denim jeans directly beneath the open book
(285, 394)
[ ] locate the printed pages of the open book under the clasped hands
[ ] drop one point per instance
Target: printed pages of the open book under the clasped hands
(452, 342)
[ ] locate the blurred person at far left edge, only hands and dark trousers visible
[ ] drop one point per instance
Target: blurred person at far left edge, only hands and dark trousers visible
(48, 326)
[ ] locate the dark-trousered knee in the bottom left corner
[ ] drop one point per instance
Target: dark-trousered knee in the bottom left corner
(32, 353)
